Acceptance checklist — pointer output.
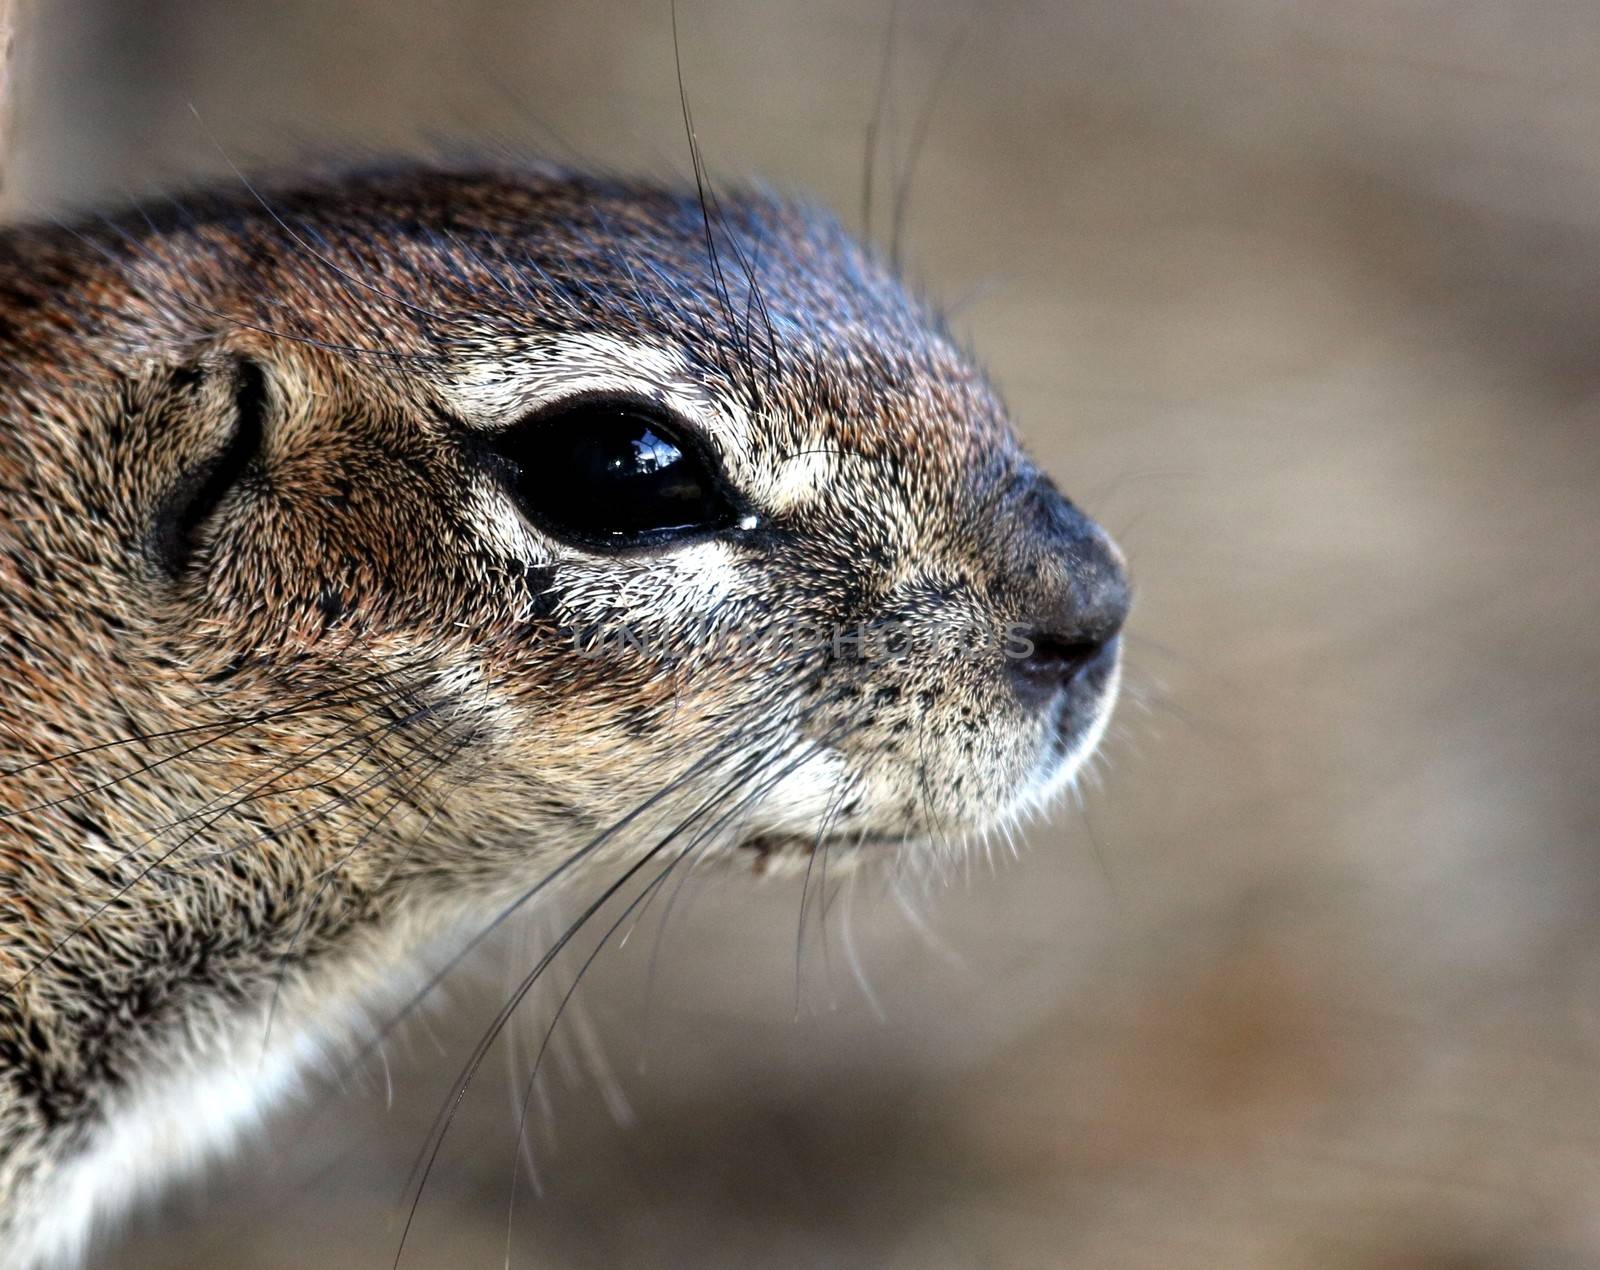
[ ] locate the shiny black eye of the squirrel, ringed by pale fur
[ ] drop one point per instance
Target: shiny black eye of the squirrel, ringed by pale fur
(615, 474)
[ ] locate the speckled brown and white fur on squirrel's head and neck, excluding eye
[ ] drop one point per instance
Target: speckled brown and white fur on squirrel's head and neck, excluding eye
(356, 722)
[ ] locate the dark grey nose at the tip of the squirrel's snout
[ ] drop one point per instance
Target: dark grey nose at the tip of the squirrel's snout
(1074, 637)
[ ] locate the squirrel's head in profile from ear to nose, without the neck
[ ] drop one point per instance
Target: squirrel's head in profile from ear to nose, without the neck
(529, 498)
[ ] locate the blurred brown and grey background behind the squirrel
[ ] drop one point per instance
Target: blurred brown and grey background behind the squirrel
(1302, 300)
